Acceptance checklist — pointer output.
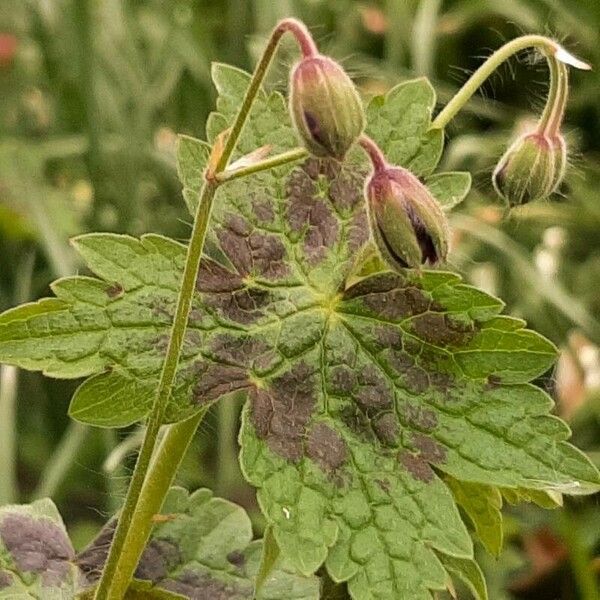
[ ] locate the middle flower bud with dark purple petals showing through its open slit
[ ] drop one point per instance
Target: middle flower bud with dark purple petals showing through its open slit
(409, 225)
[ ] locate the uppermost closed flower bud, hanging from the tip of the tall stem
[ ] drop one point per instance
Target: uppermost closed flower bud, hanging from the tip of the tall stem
(325, 106)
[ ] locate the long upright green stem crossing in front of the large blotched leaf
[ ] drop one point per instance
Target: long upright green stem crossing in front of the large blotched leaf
(127, 545)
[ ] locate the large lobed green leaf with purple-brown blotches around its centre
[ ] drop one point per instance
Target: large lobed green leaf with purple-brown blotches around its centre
(366, 388)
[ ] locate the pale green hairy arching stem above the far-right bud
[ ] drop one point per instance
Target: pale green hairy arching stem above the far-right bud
(546, 45)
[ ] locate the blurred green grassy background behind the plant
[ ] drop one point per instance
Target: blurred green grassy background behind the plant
(93, 93)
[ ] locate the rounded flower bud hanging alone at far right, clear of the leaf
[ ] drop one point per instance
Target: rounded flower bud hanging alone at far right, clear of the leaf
(531, 169)
